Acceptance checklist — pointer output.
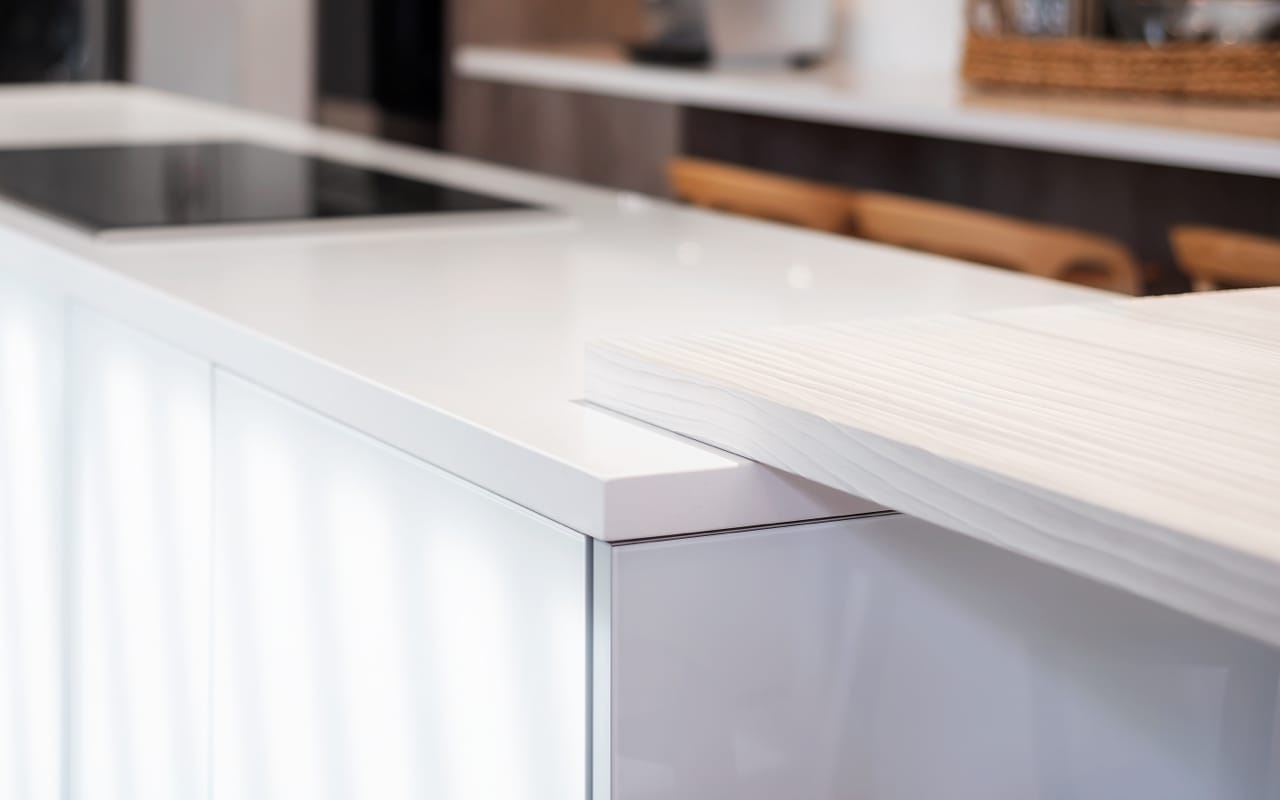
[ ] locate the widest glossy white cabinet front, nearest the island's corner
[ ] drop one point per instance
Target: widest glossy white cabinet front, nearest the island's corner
(382, 629)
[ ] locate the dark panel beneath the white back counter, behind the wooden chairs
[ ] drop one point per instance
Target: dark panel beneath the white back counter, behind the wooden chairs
(1135, 203)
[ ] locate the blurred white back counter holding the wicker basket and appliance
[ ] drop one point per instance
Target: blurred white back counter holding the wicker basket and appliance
(1181, 134)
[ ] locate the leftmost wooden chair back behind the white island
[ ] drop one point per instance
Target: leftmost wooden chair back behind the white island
(760, 195)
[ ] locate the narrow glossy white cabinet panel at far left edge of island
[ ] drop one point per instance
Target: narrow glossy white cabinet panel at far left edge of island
(31, 525)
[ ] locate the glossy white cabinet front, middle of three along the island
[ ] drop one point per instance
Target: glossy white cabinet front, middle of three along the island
(140, 510)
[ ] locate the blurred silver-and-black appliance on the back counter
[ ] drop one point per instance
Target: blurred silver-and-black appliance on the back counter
(696, 33)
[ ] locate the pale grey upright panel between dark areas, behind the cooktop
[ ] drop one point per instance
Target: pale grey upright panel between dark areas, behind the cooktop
(250, 53)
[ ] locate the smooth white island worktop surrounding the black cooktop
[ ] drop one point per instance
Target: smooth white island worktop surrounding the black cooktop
(465, 346)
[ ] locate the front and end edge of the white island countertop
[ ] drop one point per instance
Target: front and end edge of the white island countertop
(742, 495)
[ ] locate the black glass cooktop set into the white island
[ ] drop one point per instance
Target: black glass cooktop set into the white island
(113, 188)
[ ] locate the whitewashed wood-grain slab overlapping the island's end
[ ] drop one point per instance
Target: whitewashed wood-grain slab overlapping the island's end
(1136, 442)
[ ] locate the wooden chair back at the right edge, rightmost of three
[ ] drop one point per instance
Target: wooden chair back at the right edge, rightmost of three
(1215, 258)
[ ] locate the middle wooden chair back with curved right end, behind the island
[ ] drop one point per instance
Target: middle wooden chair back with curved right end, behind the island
(1050, 252)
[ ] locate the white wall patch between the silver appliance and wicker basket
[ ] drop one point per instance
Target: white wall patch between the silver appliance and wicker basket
(903, 35)
